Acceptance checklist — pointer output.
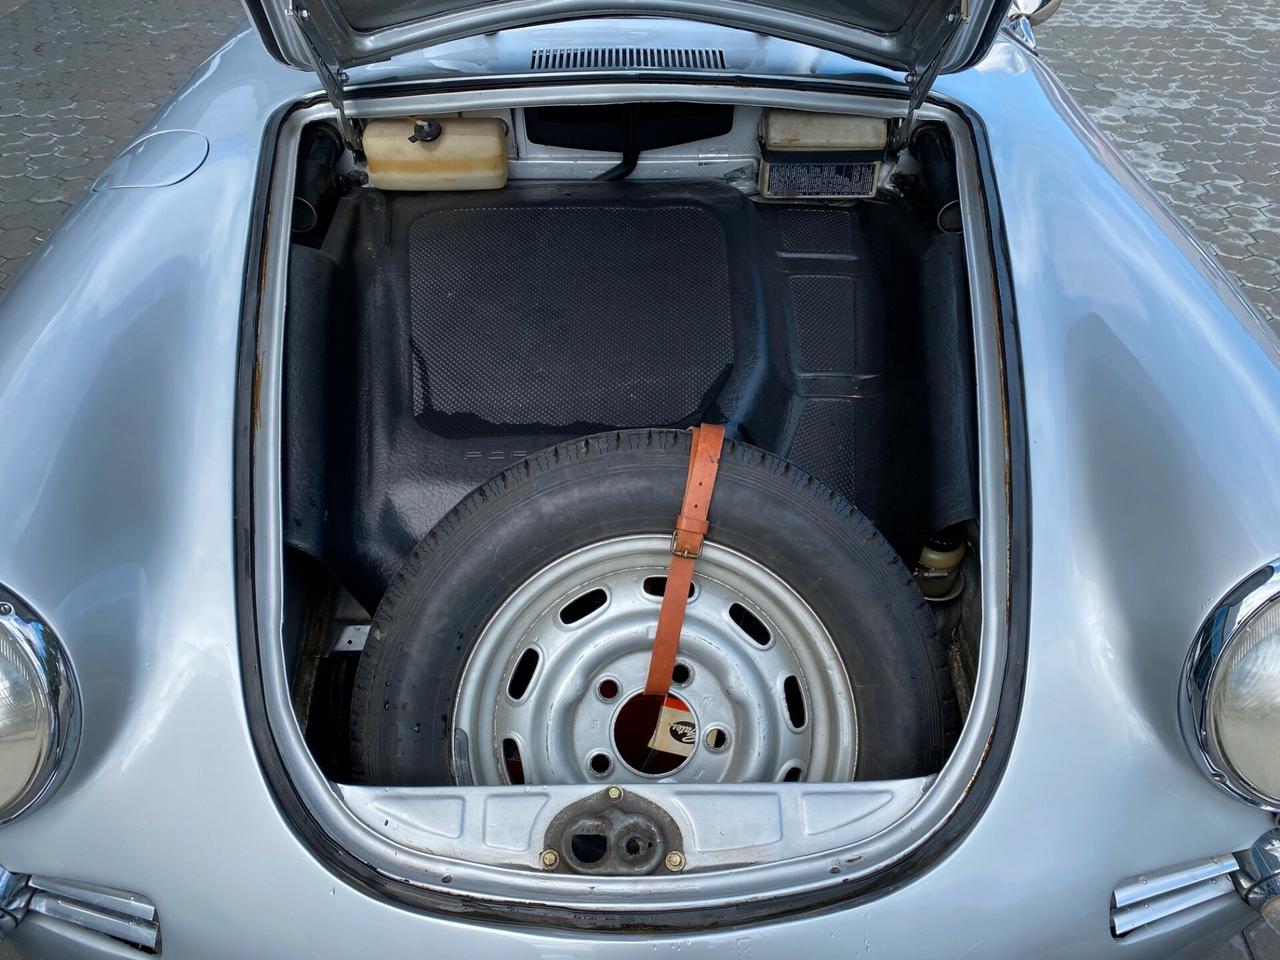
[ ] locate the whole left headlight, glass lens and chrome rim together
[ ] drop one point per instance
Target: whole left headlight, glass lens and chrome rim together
(39, 711)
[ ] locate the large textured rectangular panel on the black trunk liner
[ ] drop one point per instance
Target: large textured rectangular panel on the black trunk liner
(574, 314)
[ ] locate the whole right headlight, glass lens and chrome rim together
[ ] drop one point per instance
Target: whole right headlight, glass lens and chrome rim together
(1232, 692)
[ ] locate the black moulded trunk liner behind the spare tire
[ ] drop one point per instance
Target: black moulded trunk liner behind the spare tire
(440, 339)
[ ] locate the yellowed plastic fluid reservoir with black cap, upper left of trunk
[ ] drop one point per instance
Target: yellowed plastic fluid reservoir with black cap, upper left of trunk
(423, 154)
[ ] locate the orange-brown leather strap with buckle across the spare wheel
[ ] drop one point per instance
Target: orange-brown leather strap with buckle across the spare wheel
(687, 547)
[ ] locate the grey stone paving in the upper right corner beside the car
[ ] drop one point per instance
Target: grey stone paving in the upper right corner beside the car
(1191, 94)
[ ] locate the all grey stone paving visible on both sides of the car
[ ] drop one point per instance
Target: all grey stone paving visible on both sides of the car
(1191, 93)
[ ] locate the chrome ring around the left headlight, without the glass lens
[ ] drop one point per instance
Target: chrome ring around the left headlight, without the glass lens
(58, 688)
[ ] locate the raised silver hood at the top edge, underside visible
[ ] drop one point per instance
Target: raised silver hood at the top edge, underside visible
(920, 38)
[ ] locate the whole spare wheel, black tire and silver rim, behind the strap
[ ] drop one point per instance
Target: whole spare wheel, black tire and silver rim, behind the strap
(519, 630)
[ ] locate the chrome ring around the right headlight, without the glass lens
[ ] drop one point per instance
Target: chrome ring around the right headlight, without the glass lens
(1214, 641)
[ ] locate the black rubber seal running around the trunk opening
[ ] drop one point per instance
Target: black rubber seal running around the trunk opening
(365, 877)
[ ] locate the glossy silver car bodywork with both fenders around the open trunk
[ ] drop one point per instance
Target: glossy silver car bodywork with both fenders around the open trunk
(1153, 408)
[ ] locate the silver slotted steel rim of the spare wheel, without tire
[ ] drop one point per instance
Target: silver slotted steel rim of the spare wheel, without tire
(560, 721)
